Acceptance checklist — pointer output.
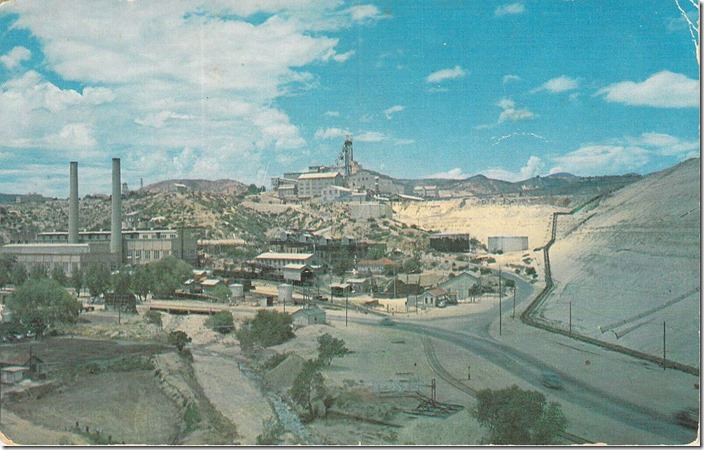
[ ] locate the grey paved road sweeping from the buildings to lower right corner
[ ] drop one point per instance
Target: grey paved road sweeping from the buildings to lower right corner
(529, 368)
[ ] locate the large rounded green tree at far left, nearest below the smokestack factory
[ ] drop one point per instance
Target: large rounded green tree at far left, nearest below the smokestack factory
(42, 302)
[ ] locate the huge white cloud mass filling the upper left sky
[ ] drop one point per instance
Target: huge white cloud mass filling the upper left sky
(196, 75)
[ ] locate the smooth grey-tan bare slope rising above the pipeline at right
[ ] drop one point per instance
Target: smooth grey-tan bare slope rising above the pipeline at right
(631, 263)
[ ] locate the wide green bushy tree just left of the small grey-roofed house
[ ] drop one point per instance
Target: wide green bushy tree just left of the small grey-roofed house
(267, 328)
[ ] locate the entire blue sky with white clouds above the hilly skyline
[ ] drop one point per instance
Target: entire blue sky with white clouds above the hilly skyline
(250, 89)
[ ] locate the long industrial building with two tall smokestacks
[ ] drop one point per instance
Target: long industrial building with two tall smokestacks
(73, 250)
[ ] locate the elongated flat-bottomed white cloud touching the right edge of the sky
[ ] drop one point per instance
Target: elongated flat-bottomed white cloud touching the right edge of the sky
(662, 90)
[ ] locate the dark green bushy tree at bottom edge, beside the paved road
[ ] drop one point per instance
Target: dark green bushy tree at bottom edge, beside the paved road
(518, 417)
